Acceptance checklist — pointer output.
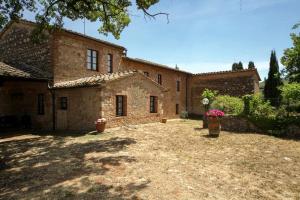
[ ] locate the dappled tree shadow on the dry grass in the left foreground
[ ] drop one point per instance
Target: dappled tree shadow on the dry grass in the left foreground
(38, 166)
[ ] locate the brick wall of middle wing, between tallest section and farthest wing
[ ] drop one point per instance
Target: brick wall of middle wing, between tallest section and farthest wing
(169, 78)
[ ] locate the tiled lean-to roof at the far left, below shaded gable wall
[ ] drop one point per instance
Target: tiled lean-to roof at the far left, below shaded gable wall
(22, 71)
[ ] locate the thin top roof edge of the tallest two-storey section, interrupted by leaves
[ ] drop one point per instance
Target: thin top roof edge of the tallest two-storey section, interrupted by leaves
(65, 30)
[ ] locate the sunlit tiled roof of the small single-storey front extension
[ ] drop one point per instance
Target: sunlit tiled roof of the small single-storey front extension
(101, 79)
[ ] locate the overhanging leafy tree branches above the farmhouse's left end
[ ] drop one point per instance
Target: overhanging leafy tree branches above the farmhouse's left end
(113, 15)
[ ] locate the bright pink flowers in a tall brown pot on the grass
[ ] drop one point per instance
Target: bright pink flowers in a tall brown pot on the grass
(214, 122)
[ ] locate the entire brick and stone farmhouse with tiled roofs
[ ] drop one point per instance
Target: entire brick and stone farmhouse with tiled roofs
(69, 80)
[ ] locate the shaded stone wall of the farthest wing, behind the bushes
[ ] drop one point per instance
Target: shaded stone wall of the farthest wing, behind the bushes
(233, 84)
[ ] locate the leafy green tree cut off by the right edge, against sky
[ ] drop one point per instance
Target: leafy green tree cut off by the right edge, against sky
(291, 59)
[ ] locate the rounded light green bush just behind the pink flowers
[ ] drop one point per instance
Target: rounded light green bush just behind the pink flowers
(228, 104)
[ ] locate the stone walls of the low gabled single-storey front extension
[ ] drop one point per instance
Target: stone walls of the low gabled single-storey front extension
(87, 104)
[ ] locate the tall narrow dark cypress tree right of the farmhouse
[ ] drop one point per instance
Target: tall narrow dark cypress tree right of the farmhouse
(271, 90)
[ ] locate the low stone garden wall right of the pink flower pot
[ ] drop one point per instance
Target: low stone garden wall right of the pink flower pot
(238, 124)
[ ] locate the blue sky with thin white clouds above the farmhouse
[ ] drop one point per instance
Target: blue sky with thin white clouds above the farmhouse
(207, 35)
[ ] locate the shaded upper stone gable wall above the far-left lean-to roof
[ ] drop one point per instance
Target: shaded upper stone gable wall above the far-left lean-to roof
(16, 47)
